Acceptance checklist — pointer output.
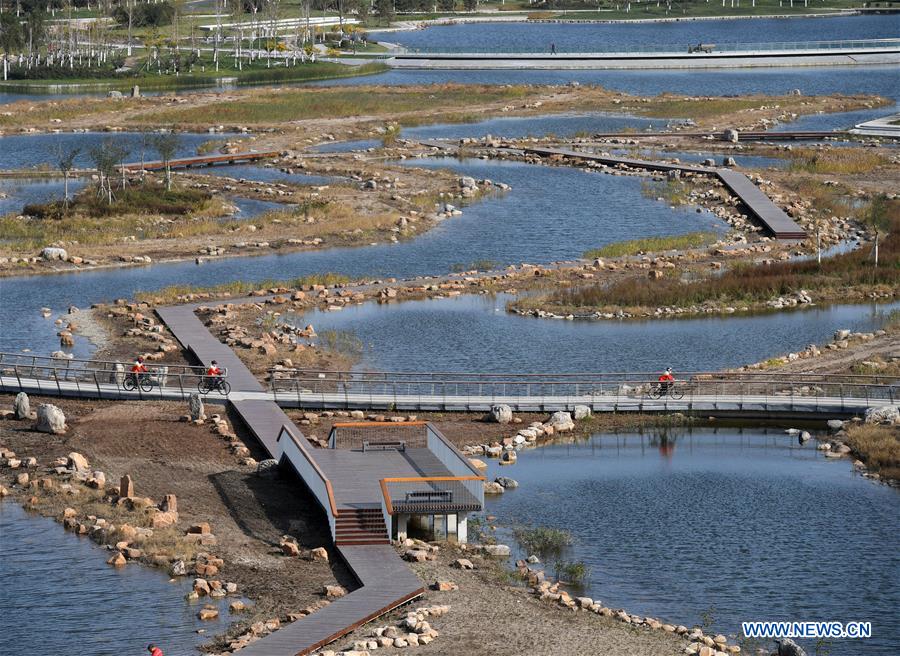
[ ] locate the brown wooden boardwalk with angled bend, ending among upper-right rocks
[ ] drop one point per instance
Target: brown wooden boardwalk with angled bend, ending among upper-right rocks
(769, 215)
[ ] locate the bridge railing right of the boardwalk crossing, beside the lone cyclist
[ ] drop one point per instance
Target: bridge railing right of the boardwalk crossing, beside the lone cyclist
(381, 389)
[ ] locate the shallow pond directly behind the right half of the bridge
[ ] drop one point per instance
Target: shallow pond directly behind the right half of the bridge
(475, 333)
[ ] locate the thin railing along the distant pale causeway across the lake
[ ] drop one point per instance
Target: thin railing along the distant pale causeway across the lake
(816, 47)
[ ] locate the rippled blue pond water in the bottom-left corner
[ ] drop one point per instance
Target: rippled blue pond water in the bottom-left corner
(59, 596)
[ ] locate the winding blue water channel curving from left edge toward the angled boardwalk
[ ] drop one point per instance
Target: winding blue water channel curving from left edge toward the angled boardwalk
(550, 214)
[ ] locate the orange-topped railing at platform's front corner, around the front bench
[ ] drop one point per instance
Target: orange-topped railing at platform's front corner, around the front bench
(432, 494)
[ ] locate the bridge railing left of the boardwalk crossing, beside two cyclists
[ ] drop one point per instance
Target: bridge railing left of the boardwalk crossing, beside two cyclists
(103, 378)
